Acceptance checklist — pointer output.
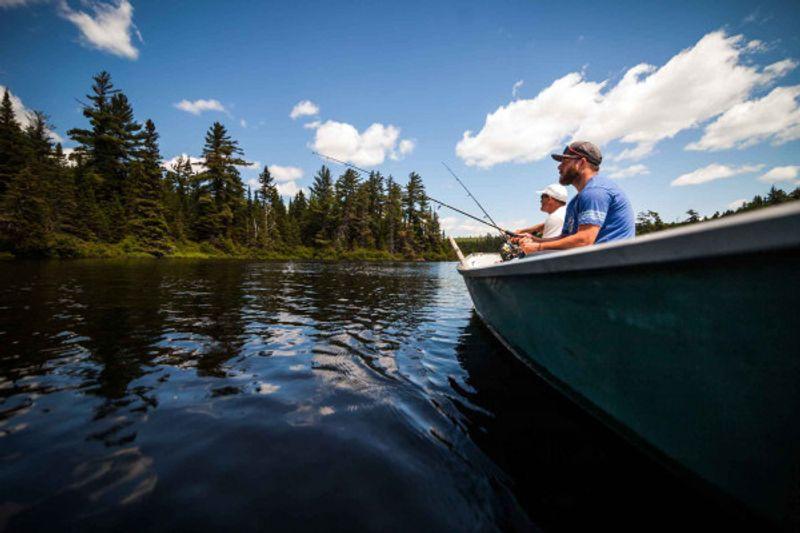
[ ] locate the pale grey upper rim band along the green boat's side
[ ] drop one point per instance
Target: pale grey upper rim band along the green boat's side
(771, 228)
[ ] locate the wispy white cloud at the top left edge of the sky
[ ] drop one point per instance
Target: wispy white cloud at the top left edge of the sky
(108, 30)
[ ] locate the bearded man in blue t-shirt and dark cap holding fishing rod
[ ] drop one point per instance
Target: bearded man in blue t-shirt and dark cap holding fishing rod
(599, 213)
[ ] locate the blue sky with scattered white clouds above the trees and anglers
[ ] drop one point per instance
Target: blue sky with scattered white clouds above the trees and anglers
(694, 107)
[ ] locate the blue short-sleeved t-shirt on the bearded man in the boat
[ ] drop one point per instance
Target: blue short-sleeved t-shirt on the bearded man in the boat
(601, 203)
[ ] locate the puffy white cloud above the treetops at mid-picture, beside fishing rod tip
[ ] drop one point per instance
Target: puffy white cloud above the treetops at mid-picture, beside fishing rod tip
(372, 147)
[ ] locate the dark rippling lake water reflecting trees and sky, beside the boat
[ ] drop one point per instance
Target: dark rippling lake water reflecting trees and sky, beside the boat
(169, 395)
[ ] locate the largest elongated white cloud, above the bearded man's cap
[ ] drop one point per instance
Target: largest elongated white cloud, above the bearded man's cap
(647, 105)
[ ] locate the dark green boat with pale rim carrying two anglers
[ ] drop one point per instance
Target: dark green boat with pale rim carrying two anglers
(685, 341)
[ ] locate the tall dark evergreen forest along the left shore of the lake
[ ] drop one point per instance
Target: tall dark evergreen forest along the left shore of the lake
(113, 196)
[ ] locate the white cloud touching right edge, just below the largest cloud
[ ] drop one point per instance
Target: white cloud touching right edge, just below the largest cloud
(776, 116)
